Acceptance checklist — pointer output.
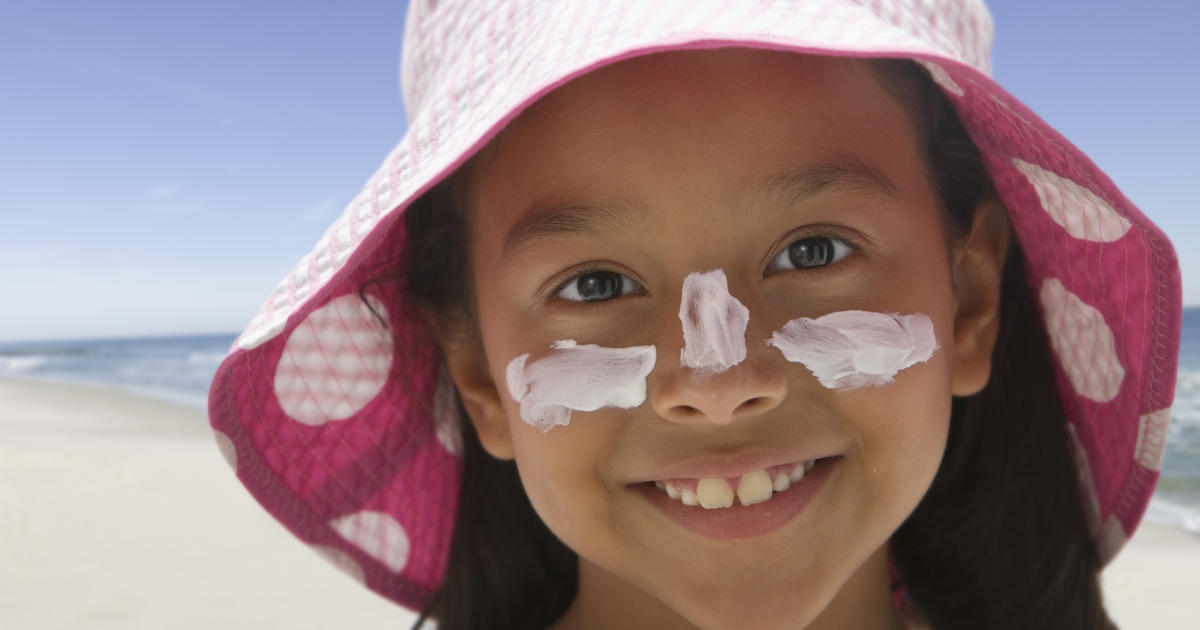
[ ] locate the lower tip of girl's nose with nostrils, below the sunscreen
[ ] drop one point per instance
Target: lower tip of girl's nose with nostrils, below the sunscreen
(743, 392)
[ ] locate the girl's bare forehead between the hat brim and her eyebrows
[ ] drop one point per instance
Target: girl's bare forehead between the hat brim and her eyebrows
(703, 123)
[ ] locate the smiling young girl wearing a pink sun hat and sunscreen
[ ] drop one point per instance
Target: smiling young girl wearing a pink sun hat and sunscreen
(683, 315)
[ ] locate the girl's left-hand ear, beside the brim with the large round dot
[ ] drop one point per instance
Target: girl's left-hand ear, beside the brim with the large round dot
(467, 364)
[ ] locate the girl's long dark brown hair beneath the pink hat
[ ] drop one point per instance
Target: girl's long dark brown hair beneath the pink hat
(1000, 541)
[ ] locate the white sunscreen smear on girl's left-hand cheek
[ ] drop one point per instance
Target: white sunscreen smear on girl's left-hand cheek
(584, 379)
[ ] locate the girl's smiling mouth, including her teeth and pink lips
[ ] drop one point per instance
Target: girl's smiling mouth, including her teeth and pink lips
(748, 506)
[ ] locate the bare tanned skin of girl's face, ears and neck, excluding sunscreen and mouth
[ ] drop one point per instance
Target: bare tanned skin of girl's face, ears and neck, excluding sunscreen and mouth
(679, 159)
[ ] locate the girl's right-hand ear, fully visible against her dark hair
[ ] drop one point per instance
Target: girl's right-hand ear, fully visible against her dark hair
(979, 274)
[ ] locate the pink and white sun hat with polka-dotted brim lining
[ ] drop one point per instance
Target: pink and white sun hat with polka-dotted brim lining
(332, 406)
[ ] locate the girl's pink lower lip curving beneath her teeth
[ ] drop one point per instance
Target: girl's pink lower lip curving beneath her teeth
(743, 521)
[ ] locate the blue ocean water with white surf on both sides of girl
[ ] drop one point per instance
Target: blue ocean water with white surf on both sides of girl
(179, 370)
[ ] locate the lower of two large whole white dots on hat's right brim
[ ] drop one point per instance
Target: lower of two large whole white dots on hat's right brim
(1084, 344)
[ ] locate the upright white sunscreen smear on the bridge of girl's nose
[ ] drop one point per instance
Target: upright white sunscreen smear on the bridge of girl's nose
(715, 323)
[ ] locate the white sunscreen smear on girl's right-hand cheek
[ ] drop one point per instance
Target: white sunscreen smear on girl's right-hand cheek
(851, 350)
